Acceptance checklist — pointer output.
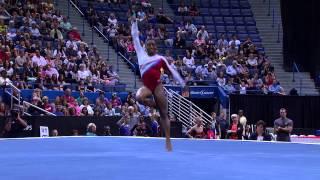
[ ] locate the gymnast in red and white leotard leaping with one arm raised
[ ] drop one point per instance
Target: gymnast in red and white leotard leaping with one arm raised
(150, 65)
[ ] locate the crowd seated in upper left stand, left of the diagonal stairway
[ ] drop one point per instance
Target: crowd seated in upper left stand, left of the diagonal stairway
(41, 49)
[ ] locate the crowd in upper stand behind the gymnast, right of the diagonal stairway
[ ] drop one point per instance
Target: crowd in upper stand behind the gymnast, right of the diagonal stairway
(200, 57)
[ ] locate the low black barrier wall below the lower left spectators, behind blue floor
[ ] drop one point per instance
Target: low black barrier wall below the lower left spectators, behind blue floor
(65, 125)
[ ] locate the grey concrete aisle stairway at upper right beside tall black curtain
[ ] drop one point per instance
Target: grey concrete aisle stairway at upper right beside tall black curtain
(273, 49)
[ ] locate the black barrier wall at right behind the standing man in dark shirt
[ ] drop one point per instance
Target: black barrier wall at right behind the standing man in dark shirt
(303, 110)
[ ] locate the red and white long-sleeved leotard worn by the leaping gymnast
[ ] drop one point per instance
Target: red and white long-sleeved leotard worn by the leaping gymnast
(150, 65)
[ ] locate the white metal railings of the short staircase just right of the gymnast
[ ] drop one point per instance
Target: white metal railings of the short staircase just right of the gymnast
(184, 109)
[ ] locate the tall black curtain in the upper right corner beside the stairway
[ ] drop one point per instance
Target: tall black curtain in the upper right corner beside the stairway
(301, 37)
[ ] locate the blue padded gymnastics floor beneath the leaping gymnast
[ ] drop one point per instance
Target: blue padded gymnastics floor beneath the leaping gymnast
(118, 158)
